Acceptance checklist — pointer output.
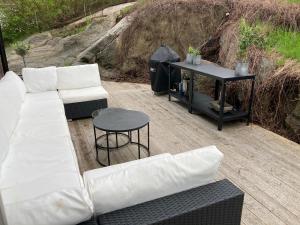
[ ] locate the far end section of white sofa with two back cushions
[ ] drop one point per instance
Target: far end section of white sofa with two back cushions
(79, 87)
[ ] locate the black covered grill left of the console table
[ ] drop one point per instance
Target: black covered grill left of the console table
(159, 71)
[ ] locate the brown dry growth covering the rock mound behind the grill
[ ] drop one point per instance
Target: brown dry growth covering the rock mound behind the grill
(178, 25)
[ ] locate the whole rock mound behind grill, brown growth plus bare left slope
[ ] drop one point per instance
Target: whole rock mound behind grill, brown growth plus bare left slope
(127, 46)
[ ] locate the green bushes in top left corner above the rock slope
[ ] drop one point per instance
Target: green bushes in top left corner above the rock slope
(21, 18)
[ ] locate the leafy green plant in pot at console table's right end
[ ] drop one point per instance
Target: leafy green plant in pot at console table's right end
(250, 35)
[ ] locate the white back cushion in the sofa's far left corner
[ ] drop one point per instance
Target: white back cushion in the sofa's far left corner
(40, 79)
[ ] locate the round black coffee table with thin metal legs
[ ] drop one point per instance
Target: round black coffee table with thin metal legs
(119, 122)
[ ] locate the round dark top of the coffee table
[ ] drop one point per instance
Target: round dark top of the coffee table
(120, 120)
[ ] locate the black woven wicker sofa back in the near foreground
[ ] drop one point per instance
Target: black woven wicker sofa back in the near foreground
(218, 203)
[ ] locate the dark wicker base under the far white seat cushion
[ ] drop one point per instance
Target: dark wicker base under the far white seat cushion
(83, 109)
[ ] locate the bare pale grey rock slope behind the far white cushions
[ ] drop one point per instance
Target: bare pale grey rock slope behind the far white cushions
(61, 47)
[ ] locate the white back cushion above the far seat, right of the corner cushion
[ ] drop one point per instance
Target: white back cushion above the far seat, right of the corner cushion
(77, 77)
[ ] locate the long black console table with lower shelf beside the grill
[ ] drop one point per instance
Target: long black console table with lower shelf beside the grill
(201, 102)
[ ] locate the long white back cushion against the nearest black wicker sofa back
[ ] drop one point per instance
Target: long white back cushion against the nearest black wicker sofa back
(141, 182)
